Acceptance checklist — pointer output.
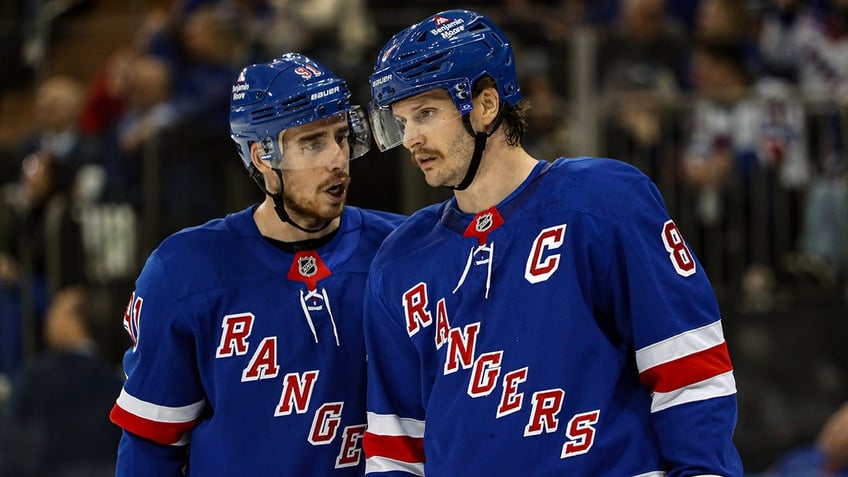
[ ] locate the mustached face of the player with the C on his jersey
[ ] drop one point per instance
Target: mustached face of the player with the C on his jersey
(435, 136)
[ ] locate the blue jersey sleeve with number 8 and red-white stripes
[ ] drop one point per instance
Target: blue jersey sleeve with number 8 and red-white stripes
(664, 304)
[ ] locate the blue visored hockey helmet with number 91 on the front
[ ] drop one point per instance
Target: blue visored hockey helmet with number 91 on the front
(291, 90)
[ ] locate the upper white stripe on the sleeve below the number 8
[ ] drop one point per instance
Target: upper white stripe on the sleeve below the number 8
(680, 345)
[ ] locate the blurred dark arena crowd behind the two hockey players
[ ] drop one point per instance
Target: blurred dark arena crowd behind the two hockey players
(736, 109)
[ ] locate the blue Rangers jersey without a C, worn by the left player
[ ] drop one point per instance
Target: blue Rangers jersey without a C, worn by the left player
(248, 358)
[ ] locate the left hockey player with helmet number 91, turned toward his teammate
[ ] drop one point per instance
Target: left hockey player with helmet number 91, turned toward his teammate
(247, 352)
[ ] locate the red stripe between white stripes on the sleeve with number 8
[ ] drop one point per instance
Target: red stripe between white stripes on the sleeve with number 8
(688, 370)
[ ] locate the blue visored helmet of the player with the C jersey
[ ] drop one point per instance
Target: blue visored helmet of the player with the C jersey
(450, 50)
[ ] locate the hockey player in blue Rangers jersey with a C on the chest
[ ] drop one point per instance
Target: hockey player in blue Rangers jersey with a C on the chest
(564, 327)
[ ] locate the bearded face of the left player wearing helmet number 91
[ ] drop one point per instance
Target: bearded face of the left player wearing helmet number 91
(315, 166)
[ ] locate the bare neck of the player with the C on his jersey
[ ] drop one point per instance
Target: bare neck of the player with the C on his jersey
(502, 169)
